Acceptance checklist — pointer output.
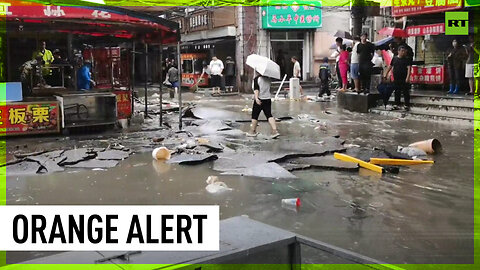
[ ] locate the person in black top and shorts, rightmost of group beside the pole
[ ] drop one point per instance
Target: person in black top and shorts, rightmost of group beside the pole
(401, 65)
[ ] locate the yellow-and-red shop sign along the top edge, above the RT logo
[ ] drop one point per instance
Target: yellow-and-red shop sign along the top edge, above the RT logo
(414, 7)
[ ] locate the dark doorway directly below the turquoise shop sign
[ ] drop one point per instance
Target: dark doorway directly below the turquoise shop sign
(284, 46)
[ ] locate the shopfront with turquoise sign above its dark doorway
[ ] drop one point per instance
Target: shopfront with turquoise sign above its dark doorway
(291, 33)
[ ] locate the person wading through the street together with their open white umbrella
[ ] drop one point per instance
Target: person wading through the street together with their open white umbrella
(265, 69)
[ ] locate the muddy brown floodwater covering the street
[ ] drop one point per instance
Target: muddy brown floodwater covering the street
(424, 214)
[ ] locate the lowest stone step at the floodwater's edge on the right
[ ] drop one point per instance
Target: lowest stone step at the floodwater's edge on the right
(416, 114)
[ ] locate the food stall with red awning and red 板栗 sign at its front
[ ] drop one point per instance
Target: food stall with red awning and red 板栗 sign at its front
(112, 30)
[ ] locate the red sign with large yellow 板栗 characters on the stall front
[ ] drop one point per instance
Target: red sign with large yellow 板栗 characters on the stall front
(29, 118)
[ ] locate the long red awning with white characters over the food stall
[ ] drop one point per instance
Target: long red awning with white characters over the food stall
(94, 21)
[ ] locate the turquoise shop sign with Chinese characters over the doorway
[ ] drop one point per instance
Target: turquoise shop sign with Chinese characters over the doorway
(291, 17)
